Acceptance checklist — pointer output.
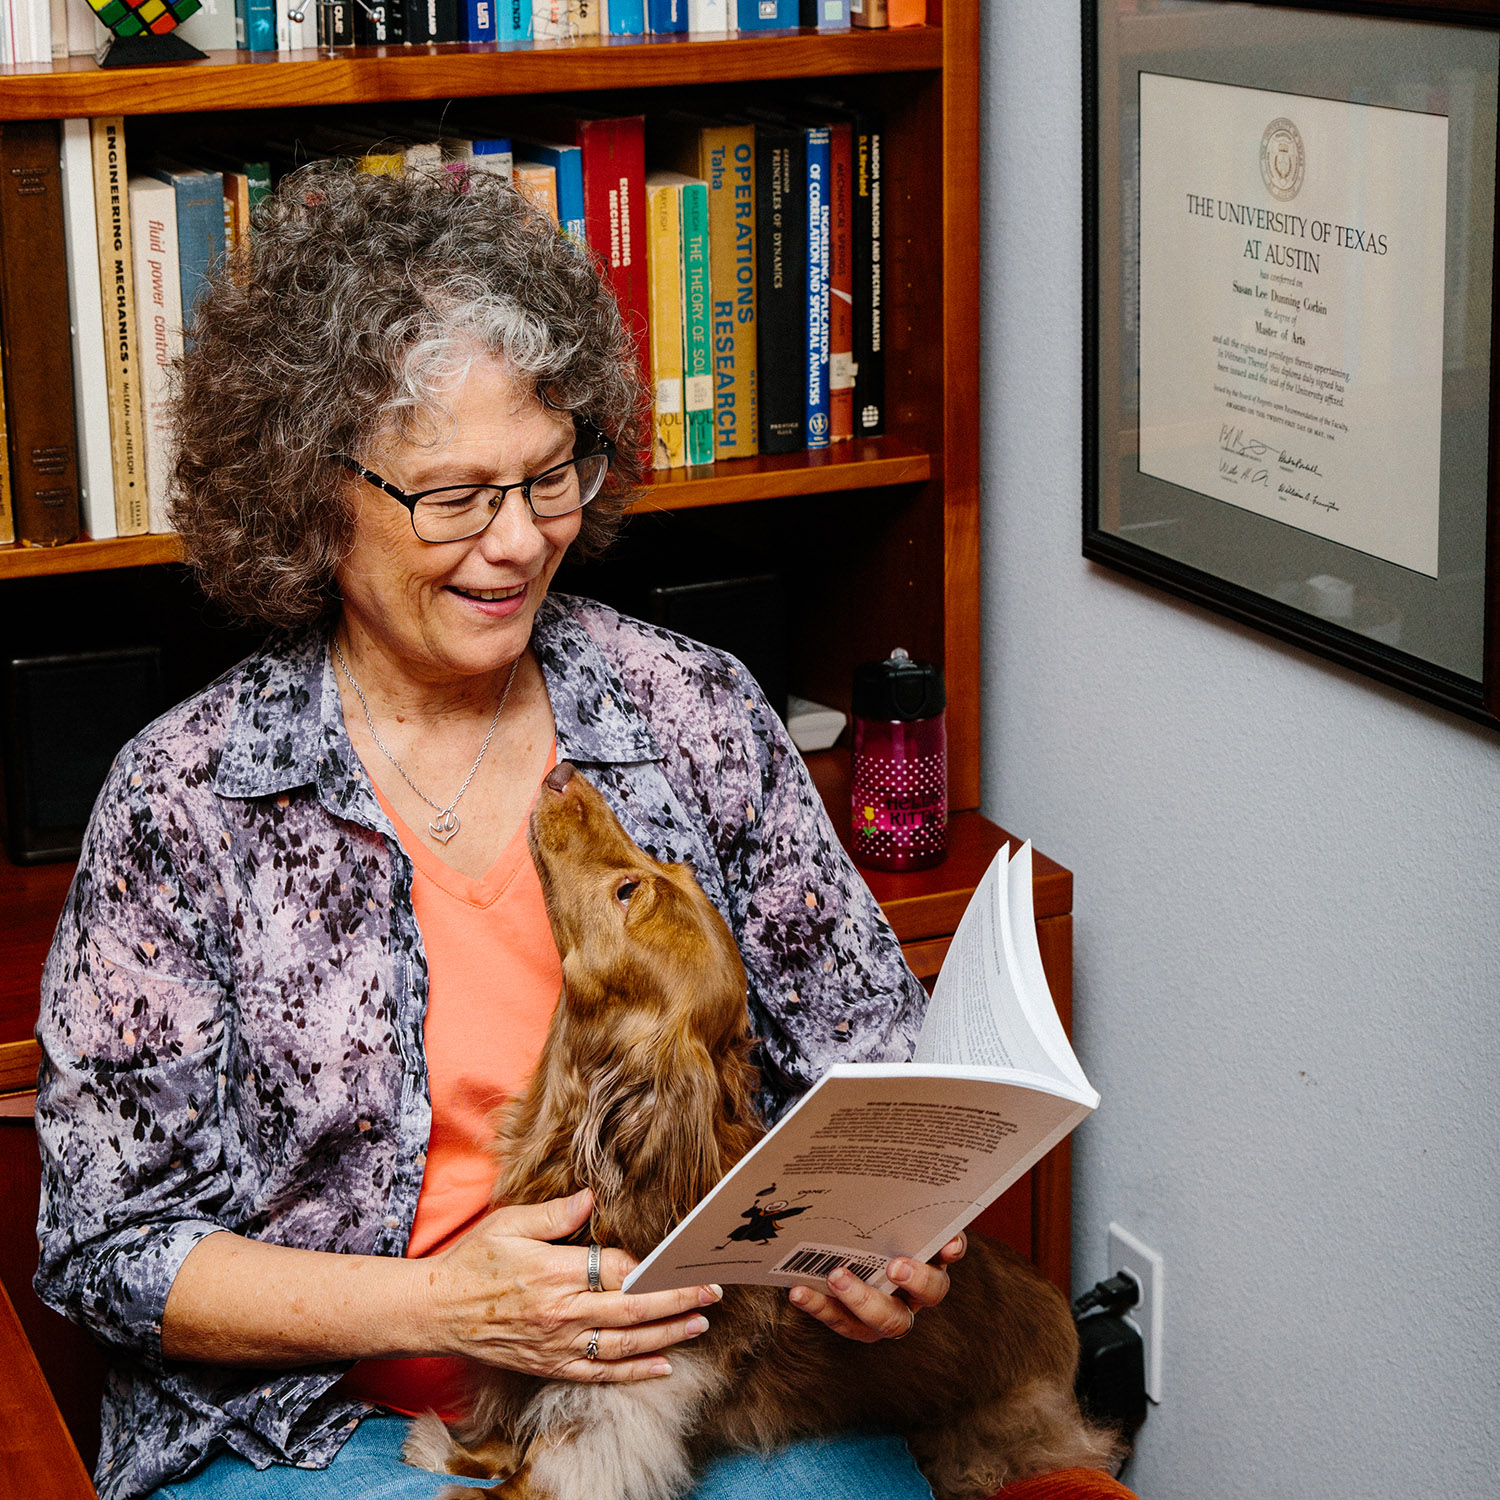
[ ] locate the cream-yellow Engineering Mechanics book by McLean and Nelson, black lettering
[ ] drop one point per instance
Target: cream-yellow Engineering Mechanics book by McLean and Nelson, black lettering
(122, 350)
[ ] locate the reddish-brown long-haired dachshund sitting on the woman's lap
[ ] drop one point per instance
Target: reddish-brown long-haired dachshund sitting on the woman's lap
(646, 1094)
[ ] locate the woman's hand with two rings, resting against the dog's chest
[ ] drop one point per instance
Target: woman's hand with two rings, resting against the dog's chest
(506, 1297)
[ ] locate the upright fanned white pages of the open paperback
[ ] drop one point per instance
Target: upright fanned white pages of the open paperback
(977, 1013)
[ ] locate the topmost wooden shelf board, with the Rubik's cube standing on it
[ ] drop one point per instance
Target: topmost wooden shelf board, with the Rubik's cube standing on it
(76, 86)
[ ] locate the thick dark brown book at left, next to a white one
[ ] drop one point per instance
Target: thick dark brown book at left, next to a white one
(35, 335)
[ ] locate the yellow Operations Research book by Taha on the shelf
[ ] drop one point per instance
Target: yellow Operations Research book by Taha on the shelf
(724, 157)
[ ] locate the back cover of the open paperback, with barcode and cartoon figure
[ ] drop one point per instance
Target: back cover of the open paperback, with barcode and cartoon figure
(878, 1160)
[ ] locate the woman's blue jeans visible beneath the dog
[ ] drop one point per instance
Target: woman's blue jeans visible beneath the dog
(370, 1468)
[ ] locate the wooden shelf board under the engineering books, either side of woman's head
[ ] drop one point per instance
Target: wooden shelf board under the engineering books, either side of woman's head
(868, 464)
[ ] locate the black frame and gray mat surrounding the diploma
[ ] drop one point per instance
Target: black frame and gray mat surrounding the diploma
(1441, 640)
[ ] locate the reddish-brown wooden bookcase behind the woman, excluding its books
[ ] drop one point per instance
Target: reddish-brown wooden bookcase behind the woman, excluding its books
(880, 538)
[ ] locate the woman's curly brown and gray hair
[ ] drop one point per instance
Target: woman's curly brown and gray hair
(361, 299)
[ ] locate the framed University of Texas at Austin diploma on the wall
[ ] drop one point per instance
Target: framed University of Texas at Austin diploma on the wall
(1289, 313)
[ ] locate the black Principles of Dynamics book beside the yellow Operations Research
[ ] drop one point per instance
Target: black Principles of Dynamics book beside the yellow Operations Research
(781, 155)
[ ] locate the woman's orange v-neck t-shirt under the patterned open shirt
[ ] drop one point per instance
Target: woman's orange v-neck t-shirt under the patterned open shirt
(494, 980)
